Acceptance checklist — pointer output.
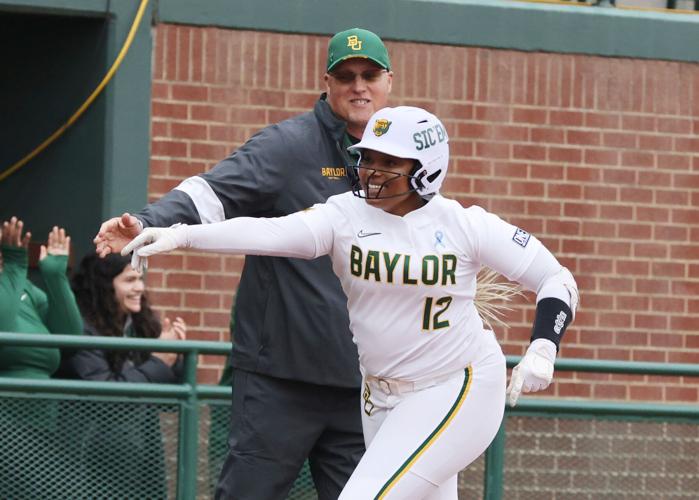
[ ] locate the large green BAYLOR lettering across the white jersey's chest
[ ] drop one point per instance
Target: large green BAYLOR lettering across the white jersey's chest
(389, 267)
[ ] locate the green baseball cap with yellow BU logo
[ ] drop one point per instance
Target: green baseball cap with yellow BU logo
(357, 42)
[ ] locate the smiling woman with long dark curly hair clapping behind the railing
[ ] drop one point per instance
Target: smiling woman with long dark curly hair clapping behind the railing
(122, 442)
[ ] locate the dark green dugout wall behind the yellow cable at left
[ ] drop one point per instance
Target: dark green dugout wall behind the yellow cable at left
(56, 55)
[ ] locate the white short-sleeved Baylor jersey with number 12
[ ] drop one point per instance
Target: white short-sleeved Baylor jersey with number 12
(411, 280)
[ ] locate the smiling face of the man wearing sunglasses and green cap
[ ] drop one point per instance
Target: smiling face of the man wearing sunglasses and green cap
(357, 88)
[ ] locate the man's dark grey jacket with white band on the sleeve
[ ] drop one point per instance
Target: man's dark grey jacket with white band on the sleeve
(290, 315)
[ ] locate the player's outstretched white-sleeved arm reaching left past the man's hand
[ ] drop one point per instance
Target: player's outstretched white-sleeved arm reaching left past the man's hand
(287, 236)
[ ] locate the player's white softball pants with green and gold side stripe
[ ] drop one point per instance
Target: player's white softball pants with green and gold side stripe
(419, 436)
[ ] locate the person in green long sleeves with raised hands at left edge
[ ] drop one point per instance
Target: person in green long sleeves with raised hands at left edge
(30, 433)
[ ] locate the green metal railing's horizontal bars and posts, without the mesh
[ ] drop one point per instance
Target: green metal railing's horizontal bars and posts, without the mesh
(189, 396)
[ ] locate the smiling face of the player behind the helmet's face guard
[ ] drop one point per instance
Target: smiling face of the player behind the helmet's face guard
(384, 179)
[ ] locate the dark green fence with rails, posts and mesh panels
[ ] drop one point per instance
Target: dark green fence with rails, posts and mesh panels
(109, 439)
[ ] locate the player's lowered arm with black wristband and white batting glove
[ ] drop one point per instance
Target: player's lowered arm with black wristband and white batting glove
(557, 299)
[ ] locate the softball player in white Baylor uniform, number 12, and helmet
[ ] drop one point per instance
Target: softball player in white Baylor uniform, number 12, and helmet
(407, 258)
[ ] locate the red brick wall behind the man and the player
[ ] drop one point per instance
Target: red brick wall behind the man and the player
(599, 157)
